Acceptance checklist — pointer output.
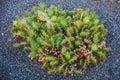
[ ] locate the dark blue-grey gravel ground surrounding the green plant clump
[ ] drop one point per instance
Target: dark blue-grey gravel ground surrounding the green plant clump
(14, 63)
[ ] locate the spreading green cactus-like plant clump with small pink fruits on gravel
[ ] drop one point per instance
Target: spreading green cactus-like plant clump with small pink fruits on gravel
(64, 41)
